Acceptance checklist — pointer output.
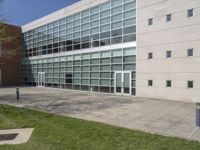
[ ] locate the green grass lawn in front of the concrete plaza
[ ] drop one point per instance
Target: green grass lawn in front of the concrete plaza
(53, 132)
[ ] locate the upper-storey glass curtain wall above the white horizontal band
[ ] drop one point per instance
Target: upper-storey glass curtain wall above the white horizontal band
(109, 23)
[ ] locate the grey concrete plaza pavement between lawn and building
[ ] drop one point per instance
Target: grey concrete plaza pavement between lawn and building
(170, 118)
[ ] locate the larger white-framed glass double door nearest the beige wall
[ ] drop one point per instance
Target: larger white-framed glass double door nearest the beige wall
(122, 82)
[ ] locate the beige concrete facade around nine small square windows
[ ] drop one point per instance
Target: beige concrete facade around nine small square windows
(178, 35)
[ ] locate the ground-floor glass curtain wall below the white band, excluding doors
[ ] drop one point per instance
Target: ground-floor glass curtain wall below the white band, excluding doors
(88, 71)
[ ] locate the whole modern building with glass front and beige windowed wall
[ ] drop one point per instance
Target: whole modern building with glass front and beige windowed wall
(92, 46)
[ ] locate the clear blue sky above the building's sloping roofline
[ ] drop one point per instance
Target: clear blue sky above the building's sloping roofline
(20, 12)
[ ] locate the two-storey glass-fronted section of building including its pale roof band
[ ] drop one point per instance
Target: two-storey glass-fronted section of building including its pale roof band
(90, 45)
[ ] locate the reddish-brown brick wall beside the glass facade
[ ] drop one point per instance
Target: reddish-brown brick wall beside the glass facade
(10, 48)
